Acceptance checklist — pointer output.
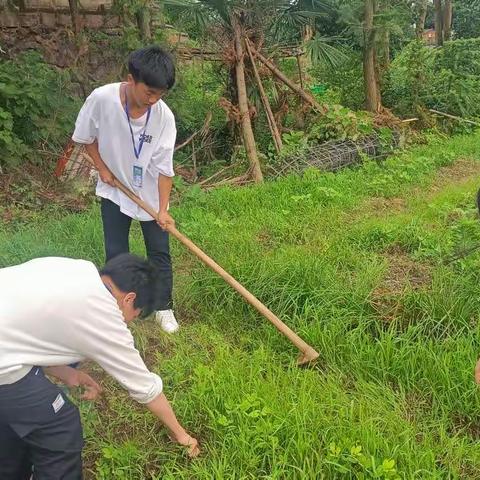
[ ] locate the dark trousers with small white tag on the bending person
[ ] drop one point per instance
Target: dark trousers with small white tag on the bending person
(40, 429)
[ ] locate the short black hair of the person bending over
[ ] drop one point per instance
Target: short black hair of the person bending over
(130, 273)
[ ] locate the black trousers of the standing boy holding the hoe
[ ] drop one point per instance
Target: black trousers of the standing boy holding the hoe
(116, 228)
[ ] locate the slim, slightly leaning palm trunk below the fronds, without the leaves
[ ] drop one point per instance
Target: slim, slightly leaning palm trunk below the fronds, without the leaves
(247, 131)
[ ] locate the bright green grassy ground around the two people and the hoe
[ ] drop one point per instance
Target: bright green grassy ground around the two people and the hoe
(375, 267)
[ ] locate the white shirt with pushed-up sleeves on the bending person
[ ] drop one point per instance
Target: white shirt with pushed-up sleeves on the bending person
(57, 311)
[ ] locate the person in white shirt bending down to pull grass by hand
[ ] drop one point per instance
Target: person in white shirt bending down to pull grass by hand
(55, 312)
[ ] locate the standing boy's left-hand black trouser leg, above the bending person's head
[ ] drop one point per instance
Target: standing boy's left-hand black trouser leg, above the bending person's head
(116, 228)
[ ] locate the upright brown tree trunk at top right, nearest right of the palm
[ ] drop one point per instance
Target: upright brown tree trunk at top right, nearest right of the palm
(373, 100)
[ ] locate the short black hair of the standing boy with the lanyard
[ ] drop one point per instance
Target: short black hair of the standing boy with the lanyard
(152, 66)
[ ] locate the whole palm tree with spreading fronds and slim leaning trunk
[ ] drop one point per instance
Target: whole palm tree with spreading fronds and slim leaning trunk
(262, 22)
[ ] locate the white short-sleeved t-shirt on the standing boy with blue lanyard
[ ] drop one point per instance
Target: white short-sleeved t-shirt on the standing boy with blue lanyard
(103, 117)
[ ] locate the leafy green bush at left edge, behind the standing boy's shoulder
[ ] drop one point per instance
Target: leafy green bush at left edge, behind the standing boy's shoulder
(37, 109)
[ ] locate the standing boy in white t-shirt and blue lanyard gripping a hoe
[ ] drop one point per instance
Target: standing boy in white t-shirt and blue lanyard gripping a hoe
(129, 132)
